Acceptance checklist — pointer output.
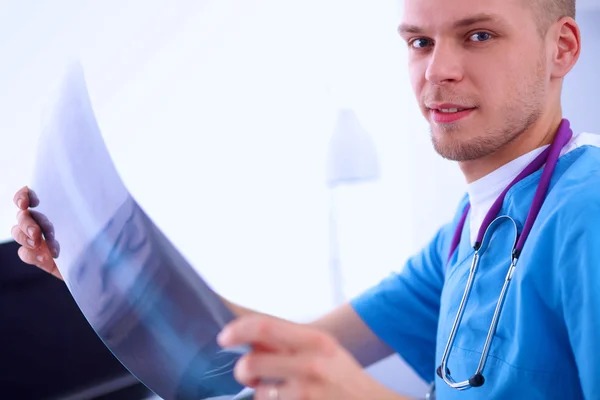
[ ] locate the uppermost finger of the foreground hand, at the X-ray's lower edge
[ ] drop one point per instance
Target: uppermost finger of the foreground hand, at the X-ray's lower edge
(269, 332)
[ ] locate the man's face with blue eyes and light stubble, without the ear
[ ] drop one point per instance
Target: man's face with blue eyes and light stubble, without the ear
(479, 71)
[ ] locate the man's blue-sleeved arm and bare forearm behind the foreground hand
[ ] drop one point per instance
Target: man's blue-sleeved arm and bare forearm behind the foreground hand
(398, 315)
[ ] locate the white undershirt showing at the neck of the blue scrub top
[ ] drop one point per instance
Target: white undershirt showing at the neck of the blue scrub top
(483, 192)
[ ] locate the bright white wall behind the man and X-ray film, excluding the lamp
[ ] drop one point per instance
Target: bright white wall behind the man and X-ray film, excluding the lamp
(218, 115)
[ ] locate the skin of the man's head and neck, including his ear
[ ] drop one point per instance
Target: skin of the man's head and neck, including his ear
(503, 68)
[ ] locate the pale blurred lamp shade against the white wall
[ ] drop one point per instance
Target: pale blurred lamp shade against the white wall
(352, 154)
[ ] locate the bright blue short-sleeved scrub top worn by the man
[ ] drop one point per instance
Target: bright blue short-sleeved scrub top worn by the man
(547, 344)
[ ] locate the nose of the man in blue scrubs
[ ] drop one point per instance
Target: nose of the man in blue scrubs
(444, 65)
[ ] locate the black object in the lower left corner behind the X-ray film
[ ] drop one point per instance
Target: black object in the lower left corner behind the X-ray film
(47, 348)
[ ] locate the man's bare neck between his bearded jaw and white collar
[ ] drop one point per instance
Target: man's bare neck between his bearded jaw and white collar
(539, 134)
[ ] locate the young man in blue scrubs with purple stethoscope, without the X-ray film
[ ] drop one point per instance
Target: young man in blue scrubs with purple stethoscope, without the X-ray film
(488, 77)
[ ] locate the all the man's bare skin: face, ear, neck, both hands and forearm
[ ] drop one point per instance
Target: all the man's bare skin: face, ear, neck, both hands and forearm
(504, 68)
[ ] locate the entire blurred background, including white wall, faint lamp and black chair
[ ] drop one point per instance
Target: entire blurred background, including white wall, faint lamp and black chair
(277, 144)
